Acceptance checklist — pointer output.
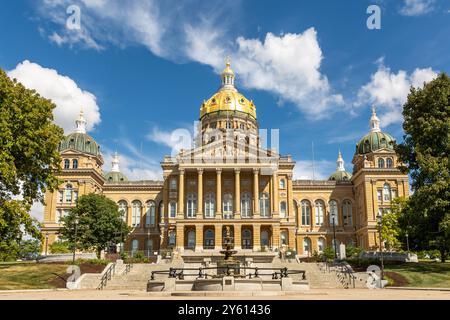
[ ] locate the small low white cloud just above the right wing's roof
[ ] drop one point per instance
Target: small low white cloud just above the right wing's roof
(303, 169)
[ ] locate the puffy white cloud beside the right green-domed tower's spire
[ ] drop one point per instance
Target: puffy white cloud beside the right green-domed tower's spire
(390, 90)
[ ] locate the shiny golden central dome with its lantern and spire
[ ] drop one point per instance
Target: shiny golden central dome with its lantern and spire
(228, 99)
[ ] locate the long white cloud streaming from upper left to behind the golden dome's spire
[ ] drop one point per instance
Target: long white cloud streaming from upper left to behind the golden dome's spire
(287, 66)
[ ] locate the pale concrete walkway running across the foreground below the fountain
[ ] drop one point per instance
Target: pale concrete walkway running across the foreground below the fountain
(313, 294)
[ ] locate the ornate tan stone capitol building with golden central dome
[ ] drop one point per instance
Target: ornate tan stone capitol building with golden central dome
(228, 180)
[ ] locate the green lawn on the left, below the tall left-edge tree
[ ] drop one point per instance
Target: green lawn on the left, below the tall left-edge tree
(14, 276)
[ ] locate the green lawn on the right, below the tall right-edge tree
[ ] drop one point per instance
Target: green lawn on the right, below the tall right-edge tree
(422, 274)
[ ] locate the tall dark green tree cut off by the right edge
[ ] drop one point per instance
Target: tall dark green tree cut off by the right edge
(425, 154)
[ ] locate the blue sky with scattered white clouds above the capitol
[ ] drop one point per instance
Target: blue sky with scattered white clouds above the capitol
(141, 69)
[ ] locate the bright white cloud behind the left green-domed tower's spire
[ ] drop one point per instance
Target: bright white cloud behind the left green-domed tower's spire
(62, 90)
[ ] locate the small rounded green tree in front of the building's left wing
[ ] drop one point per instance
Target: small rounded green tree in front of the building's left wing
(99, 224)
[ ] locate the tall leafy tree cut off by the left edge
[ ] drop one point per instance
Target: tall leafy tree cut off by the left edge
(28, 157)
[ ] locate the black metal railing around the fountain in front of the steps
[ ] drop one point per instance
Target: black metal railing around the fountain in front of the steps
(200, 273)
